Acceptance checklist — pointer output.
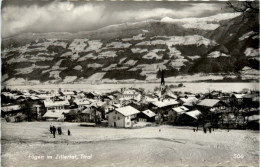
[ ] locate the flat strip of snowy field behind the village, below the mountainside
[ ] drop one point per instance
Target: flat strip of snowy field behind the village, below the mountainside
(199, 87)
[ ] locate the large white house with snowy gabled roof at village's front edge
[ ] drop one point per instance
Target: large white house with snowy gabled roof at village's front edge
(122, 117)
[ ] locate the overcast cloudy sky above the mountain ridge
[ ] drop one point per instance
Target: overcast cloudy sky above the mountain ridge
(19, 16)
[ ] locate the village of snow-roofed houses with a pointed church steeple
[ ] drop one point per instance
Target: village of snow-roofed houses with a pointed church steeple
(135, 108)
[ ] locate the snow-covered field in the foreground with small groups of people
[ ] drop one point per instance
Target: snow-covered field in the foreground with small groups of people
(173, 146)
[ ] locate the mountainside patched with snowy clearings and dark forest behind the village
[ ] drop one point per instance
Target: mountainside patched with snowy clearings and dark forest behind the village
(219, 44)
